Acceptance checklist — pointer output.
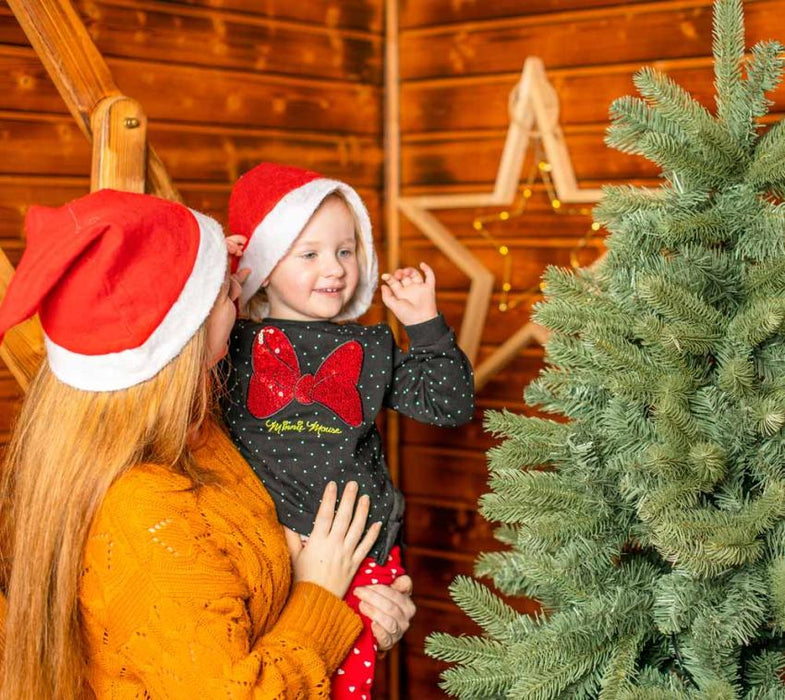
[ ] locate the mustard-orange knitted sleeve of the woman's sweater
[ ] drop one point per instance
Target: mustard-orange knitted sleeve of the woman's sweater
(162, 599)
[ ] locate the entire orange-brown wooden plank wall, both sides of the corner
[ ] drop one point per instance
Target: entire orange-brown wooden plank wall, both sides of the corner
(227, 83)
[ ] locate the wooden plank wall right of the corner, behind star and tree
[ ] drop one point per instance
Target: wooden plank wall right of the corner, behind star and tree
(459, 60)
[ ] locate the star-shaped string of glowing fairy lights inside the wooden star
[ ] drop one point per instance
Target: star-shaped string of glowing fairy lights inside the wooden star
(541, 169)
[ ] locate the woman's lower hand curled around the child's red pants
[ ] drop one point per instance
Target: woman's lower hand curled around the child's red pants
(390, 609)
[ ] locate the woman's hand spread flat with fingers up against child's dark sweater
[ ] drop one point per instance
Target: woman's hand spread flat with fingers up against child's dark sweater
(336, 546)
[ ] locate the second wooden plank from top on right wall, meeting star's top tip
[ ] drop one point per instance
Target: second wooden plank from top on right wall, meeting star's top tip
(643, 32)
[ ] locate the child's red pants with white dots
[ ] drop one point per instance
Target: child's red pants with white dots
(354, 678)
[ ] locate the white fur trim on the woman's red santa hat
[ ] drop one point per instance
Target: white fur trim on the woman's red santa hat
(120, 370)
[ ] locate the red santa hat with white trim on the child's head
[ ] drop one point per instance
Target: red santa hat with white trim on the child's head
(271, 204)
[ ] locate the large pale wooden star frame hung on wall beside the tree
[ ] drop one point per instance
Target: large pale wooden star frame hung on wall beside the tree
(534, 110)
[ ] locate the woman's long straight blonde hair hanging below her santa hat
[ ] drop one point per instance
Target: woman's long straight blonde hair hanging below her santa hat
(68, 447)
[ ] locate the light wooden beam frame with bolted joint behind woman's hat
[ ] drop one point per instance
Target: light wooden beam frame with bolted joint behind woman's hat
(114, 124)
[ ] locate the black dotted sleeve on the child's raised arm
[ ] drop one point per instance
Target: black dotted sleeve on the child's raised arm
(433, 382)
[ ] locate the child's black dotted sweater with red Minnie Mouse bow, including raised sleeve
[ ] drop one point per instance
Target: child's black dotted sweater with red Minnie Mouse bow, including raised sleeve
(303, 398)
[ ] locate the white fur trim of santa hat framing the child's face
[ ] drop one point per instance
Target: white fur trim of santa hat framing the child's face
(276, 233)
